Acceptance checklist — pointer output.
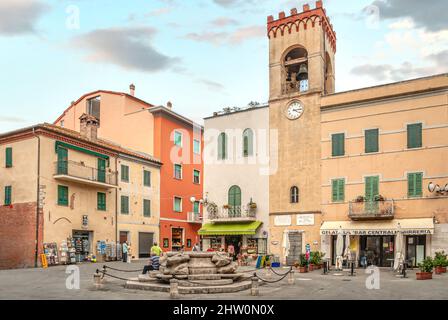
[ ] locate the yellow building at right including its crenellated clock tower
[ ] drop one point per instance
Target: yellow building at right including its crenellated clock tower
(367, 163)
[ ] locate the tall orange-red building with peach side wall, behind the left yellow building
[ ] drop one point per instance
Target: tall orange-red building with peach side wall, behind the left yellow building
(160, 132)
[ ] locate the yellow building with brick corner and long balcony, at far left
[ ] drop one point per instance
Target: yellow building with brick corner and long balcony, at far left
(57, 184)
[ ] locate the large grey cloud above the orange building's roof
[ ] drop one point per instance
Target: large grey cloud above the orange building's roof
(128, 48)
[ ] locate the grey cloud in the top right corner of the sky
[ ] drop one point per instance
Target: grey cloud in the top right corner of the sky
(428, 14)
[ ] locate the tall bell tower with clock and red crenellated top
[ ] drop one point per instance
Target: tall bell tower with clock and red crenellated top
(302, 49)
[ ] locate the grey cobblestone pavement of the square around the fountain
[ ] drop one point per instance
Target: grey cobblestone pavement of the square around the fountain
(51, 284)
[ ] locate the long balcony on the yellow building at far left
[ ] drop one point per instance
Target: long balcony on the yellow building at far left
(76, 172)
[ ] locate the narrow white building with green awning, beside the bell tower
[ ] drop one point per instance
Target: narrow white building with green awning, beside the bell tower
(236, 186)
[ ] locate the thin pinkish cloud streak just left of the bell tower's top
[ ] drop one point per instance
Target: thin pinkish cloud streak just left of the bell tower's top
(231, 38)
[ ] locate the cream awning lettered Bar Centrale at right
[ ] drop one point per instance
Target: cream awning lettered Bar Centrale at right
(379, 228)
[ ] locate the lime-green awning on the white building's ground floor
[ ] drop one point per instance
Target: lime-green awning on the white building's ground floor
(230, 229)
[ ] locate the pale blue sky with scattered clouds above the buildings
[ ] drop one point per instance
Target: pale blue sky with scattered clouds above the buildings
(201, 55)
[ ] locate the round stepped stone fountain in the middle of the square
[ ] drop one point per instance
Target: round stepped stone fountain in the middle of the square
(194, 273)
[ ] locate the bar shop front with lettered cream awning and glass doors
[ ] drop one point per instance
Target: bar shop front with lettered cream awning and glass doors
(373, 243)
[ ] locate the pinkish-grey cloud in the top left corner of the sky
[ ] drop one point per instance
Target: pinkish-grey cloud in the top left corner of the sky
(20, 16)
